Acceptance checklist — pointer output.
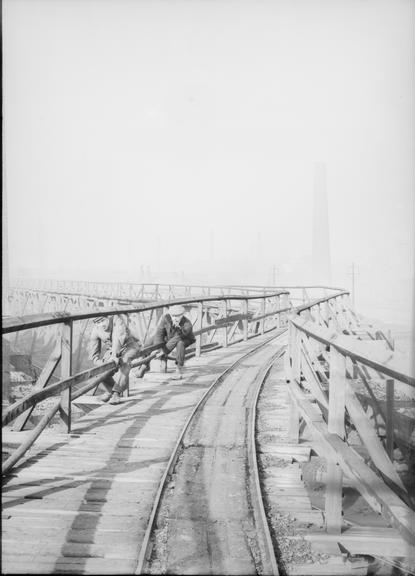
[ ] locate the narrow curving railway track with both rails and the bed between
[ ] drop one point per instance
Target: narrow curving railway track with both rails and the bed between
(208, 515)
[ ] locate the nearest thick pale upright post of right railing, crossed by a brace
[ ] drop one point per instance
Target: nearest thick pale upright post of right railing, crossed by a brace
(337, 392)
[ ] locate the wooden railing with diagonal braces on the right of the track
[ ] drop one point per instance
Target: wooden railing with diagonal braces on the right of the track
(332, 377)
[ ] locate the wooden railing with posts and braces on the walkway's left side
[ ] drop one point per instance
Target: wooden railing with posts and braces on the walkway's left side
(229, 319)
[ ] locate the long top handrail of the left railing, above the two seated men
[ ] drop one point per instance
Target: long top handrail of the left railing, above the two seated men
(16, 323)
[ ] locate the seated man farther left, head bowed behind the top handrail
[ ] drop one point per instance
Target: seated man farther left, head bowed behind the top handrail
(111, 340)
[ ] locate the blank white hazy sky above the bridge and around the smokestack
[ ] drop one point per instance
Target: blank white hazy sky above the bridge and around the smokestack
(175, 141)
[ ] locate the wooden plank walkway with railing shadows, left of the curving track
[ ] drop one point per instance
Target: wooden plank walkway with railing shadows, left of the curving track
(80, 503)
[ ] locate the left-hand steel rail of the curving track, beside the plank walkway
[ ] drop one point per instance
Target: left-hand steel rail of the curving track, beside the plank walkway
(146, 548)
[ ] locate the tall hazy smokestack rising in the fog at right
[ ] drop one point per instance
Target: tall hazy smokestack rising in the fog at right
(321, 237)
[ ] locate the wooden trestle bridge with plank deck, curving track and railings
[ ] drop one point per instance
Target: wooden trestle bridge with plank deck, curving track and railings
(213, 473)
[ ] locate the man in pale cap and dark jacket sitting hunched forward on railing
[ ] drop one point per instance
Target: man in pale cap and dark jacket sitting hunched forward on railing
(174, 330)
